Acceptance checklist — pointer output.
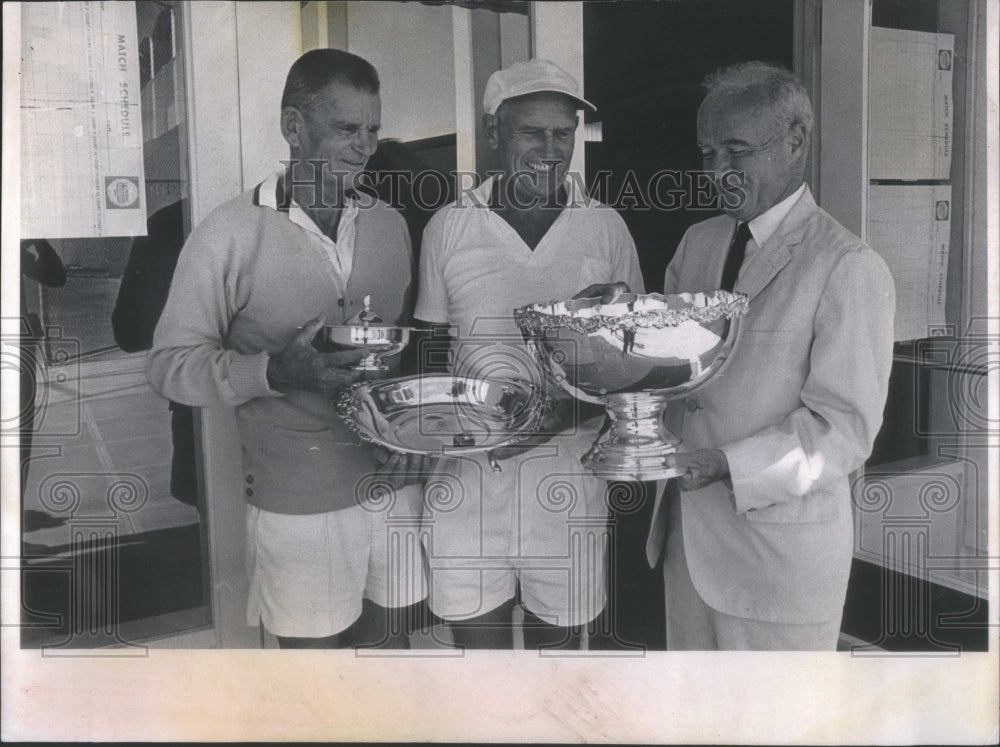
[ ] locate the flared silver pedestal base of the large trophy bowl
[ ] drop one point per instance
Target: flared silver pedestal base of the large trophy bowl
(637, 446)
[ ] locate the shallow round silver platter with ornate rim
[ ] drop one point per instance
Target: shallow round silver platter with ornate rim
(442, 414)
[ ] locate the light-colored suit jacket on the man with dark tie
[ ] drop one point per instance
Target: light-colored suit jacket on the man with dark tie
(795, 411)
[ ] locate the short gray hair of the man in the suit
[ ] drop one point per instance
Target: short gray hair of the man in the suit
(772, 87)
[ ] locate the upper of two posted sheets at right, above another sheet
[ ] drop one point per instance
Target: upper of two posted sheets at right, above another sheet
(910, 104)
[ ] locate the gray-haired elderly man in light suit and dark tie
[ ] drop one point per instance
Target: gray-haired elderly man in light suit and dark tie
(758, 527)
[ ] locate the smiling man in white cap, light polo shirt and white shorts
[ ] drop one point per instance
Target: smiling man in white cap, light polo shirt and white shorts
(536, 529)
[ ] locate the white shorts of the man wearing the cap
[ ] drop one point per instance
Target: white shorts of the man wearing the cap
(541, 522)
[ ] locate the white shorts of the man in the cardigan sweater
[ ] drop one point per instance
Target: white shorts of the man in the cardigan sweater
(309, 573)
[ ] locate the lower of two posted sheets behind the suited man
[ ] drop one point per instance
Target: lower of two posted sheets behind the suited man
(909, 226)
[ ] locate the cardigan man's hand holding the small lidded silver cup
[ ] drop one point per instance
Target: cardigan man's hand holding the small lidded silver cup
(301, 366)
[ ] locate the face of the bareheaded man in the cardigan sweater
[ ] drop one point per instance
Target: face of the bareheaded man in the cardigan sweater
(340, 130)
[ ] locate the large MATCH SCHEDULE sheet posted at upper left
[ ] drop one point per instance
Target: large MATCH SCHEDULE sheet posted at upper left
(81, 125)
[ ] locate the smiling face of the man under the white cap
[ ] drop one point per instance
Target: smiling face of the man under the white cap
(534, 135)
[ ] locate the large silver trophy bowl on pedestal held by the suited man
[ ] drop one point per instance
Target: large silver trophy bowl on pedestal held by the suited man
(634, 355)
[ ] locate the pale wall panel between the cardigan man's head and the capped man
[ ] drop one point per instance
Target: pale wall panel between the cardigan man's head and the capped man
(411, 46)
